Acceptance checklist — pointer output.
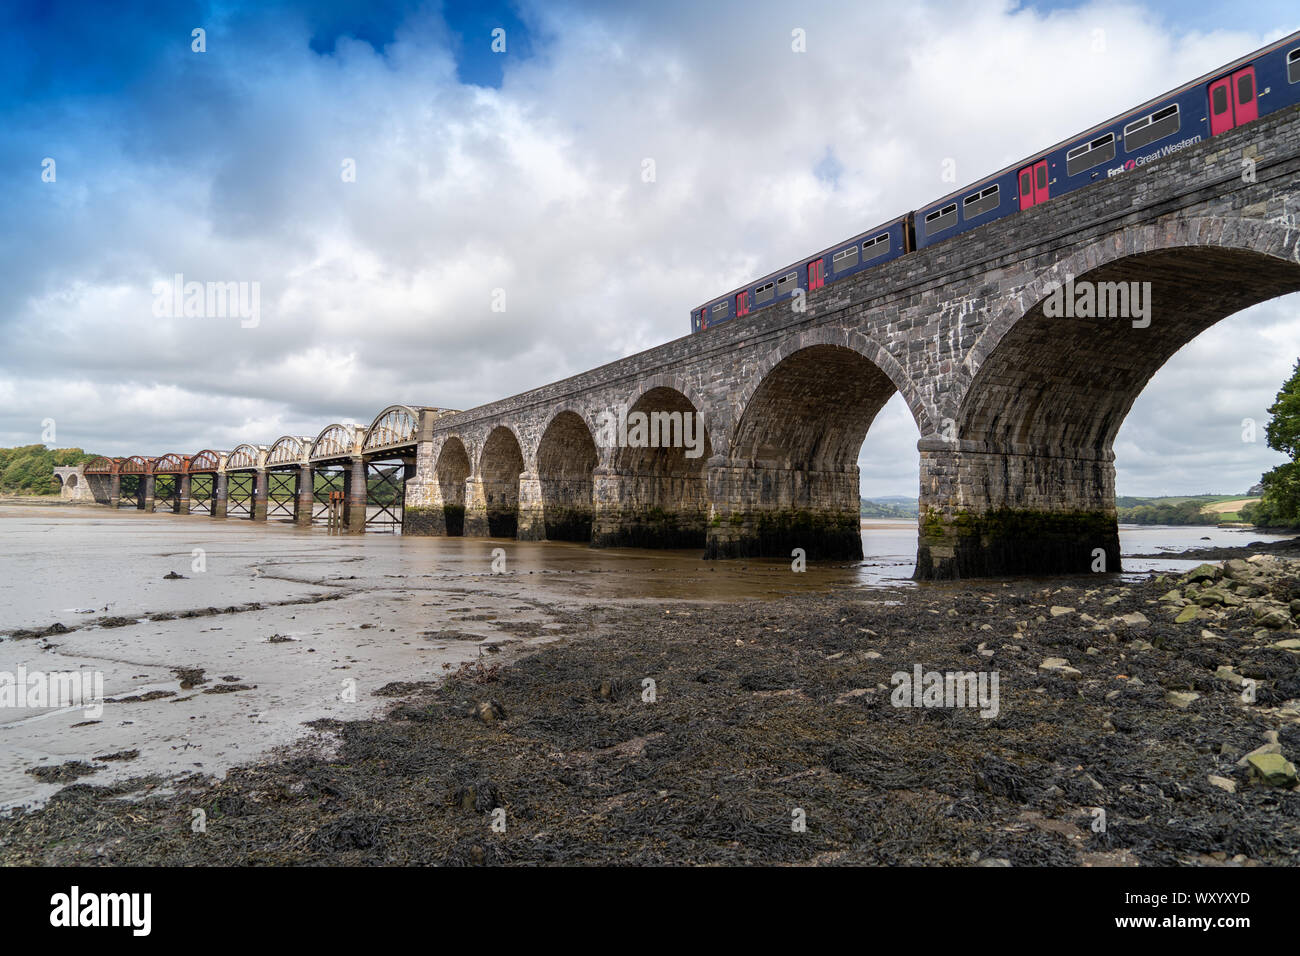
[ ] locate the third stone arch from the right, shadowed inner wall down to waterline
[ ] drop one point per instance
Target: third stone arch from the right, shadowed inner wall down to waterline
(657, 495)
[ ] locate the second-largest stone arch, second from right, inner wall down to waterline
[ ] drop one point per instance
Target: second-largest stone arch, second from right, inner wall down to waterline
(791, 479)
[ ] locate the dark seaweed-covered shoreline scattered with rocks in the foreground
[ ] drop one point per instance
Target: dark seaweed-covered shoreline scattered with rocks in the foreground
(1123, 698)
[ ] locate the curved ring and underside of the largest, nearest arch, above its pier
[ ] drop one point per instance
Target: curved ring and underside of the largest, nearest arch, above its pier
(1064, 386)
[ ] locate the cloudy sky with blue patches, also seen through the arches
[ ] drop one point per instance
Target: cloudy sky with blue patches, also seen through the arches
(523, 171)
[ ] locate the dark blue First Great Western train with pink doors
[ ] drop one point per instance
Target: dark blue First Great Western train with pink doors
(1240, 93)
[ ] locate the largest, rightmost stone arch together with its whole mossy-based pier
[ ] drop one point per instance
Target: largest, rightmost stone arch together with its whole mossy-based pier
(1028, 481)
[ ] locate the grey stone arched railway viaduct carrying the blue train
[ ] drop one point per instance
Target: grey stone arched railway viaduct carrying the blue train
(1017, 405)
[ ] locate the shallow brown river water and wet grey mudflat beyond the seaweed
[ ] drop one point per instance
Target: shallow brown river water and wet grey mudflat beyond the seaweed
(310, 626)
